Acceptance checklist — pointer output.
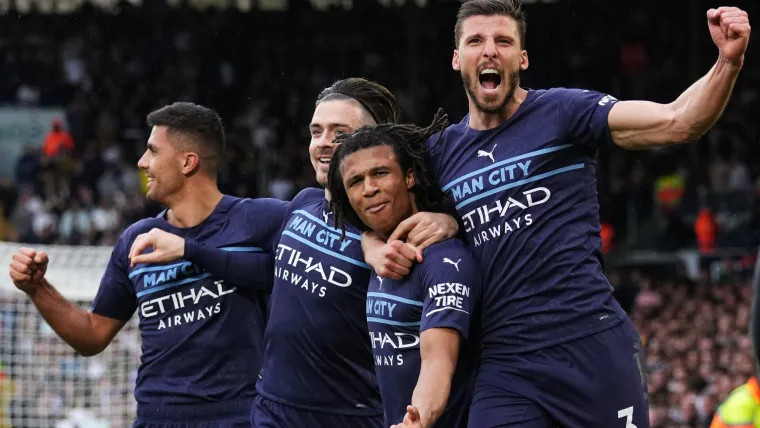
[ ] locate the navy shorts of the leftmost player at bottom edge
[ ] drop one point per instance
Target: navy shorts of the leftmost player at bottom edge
(231, 414)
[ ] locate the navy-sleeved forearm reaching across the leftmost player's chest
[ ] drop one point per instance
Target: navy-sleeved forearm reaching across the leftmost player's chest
(245, 269)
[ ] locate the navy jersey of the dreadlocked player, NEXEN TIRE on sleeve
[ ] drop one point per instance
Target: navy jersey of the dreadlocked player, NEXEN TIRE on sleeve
(441, 292)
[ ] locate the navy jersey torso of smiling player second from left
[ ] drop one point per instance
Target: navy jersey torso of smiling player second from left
(317, 354)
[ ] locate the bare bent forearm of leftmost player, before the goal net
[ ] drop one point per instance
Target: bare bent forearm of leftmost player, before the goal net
(72, 323)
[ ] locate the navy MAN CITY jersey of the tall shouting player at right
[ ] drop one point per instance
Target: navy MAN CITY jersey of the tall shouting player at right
(526, 192)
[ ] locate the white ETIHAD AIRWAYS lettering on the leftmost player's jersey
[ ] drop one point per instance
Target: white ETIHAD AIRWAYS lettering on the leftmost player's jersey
(199, 303)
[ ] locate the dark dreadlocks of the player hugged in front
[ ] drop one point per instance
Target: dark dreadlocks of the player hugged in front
(408, 143)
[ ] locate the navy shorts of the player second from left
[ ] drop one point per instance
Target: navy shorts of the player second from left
(270, 414)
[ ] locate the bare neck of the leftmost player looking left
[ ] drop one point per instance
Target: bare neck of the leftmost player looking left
(193, 204)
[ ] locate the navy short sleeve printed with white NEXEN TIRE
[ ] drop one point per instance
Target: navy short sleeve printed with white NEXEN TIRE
(451, 281)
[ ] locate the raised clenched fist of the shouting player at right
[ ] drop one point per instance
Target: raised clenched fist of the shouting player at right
(730, 30)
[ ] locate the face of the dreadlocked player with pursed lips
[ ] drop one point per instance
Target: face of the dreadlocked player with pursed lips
(377, 188)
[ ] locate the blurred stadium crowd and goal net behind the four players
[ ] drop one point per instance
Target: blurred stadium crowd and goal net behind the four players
(681, 226)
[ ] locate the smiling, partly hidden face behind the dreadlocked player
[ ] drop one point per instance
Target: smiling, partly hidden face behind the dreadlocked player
(332, 118)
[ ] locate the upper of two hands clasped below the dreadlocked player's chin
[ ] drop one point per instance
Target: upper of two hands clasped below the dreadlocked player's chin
(425, 229)
